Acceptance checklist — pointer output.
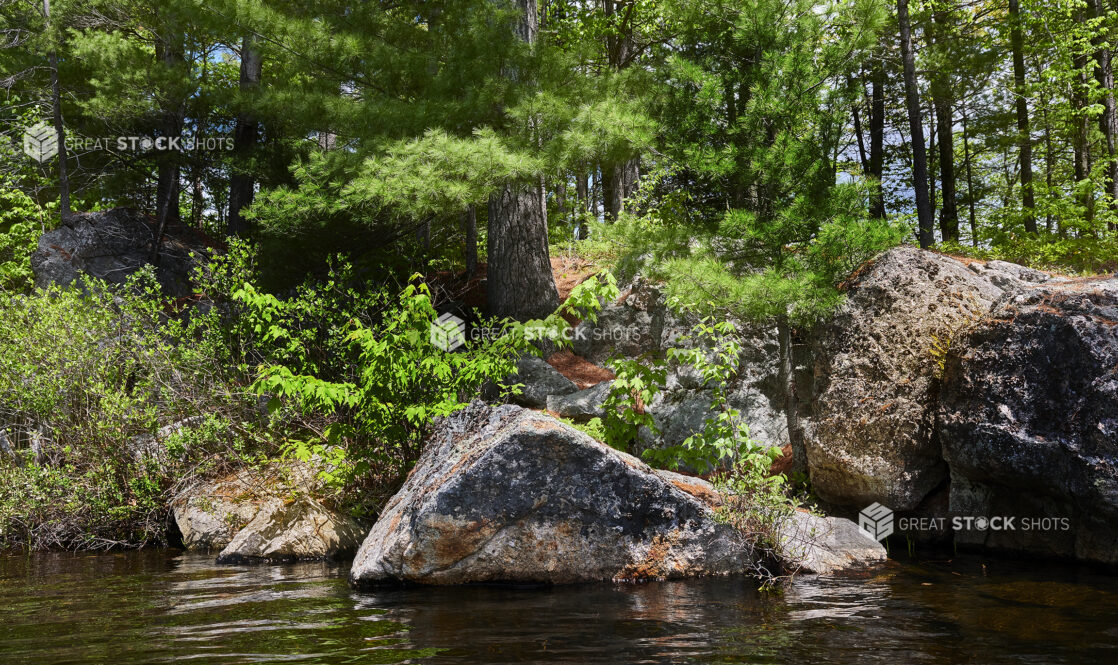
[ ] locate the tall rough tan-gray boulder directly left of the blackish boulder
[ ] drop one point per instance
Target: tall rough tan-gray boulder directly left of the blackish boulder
(878, 375)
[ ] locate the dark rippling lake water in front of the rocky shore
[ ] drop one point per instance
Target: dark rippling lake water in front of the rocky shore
(157, 607)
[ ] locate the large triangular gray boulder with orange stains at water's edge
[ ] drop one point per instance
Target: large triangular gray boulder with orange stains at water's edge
(505, 495)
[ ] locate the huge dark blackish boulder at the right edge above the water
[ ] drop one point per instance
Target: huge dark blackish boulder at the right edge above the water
(1029, 421)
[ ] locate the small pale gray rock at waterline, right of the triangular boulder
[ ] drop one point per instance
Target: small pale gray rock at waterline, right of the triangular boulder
(817, 545)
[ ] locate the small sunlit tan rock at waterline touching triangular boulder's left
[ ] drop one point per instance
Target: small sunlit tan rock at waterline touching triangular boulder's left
(295, 531)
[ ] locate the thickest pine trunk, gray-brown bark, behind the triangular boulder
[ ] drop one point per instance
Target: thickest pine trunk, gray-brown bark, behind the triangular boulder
(520, 283)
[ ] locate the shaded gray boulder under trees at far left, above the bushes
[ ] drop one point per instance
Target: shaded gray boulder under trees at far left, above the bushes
(111, 246)
